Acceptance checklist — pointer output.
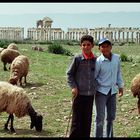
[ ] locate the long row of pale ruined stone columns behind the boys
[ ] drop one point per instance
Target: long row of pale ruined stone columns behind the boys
(114, 34)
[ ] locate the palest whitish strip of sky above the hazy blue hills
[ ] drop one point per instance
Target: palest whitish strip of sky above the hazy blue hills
(30, 8)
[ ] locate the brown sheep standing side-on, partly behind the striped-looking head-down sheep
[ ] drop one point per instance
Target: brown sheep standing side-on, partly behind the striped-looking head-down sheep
(7, 56)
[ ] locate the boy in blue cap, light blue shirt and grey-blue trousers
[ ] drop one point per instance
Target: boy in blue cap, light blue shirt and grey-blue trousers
(108, 77)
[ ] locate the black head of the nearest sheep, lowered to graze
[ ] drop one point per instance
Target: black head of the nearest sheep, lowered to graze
(36, 121)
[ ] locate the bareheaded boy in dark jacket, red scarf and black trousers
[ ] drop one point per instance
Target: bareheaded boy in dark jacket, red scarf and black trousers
(80, 76)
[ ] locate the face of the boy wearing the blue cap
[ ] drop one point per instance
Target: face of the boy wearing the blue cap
(105, 49)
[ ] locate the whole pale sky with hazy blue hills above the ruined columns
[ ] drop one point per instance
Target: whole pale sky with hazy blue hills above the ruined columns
(70, 15)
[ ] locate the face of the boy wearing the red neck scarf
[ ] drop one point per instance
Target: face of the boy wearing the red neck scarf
(86, 46)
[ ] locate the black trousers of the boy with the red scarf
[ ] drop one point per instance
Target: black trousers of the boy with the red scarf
(81, 116)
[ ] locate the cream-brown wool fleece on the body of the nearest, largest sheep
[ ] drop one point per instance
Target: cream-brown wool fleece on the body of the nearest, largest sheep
(13, 99)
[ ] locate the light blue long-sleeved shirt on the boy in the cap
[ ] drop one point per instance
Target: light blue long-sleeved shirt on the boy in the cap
(108, 74)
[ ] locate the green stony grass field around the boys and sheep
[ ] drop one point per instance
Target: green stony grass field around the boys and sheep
(50, 95)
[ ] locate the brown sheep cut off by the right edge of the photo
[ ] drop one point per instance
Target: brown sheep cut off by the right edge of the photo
(135, 89)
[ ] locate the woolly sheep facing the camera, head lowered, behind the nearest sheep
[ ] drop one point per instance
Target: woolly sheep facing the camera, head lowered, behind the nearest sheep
(19, 69)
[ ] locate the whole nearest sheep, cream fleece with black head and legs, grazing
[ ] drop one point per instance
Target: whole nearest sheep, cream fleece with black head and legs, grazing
(14, 101)
